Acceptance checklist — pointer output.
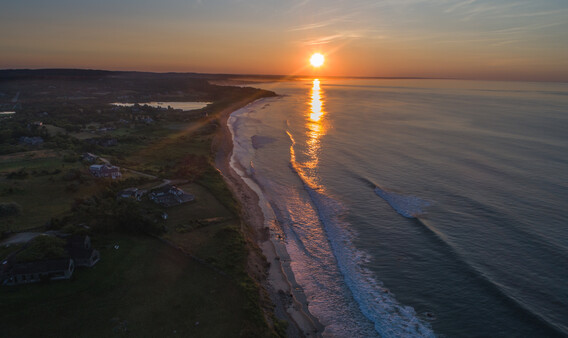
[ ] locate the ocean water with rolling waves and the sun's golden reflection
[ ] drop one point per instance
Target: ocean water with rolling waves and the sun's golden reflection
(417, 207)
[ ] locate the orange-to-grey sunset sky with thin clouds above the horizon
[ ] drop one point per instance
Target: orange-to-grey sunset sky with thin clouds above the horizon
(472, 39)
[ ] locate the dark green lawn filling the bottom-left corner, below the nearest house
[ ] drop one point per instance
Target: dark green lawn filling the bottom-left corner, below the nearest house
(142, 289)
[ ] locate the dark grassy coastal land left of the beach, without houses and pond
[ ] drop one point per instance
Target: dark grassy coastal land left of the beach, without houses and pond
(182, 270)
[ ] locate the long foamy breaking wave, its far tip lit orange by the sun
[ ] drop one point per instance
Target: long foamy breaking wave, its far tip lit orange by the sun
(390, 318)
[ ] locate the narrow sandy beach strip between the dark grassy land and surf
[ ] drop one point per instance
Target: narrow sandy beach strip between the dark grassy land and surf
(287, 296)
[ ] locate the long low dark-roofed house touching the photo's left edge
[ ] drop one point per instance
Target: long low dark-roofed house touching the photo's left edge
(37, 271)
